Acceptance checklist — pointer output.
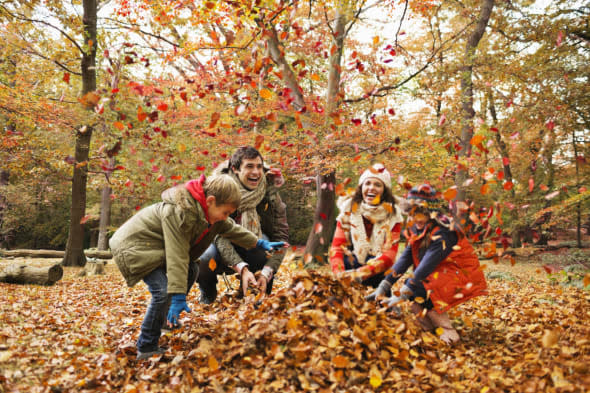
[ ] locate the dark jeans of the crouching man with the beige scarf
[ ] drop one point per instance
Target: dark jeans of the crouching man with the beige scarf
(255, 258)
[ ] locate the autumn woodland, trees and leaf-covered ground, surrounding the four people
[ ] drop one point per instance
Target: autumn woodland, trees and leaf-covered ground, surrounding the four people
(104, 104)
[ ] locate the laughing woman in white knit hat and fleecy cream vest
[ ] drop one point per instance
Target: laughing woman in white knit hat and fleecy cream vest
(368, 229)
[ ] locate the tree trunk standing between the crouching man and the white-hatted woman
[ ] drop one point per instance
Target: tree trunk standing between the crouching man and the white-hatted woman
(319, 241)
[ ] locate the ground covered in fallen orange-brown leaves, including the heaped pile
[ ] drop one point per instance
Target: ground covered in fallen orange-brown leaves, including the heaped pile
(312, 334)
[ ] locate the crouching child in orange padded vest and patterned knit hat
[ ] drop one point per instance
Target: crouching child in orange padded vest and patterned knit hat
(446, 268)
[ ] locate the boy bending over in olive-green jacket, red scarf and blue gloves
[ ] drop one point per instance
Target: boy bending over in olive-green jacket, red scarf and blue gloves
(155, 246)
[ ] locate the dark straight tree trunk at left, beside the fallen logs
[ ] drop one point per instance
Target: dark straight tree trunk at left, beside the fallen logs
(74, 255)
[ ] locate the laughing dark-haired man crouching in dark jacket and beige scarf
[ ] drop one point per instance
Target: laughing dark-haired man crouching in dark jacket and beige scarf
(262, 212)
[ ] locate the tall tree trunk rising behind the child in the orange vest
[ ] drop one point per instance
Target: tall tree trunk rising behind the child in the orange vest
(467, 110)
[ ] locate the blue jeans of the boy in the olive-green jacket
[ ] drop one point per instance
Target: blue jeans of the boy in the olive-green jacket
(155, 316)
